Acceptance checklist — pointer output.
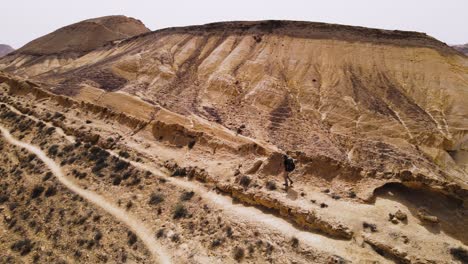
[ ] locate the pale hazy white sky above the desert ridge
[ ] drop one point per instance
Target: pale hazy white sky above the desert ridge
(447, 20)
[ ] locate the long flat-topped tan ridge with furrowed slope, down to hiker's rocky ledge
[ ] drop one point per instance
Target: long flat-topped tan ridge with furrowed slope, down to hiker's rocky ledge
(362, 111)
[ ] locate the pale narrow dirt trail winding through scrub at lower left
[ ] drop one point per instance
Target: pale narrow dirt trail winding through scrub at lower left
(144, 233)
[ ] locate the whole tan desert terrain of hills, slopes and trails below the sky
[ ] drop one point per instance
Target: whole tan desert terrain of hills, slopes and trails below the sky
(125, 145)
